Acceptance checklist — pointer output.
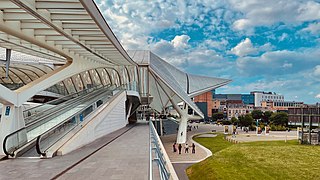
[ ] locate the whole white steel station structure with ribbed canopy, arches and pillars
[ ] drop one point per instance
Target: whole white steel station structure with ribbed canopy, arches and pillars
(68, 44)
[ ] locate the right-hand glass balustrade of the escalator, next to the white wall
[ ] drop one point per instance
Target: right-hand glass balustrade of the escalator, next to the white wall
(56, 133)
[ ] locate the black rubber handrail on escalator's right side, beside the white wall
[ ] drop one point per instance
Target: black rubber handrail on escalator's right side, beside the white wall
(38, 142)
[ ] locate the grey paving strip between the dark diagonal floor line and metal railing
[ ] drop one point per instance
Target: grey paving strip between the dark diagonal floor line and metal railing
(125, 158)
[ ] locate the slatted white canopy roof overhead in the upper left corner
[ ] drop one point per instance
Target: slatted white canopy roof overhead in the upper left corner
(59, 30)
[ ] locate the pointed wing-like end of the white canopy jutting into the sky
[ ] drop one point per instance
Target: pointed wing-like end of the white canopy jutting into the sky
(164, 82)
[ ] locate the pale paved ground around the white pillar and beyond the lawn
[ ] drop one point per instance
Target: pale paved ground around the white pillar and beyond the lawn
(182, 161)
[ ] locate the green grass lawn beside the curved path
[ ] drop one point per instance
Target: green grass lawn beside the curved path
(257, 160)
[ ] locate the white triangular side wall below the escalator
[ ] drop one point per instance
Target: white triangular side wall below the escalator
(109, 118)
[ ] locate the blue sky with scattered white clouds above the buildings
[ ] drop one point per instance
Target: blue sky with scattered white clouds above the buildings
(267, 45)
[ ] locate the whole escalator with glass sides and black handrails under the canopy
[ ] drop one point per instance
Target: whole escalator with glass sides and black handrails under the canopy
(48, 123)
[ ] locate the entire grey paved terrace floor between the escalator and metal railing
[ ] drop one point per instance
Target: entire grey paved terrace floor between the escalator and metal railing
(125, 157)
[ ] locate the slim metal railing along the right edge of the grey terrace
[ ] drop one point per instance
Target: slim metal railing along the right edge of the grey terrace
(156, 154)
